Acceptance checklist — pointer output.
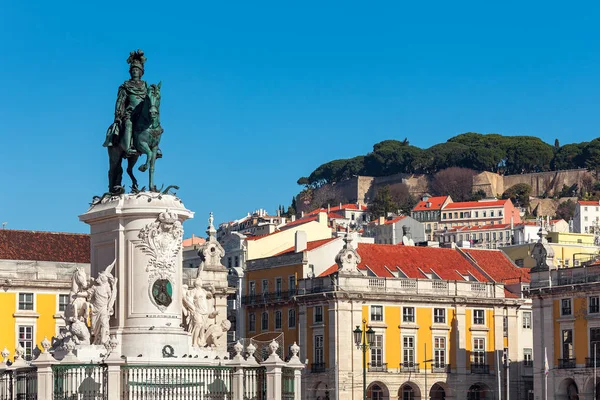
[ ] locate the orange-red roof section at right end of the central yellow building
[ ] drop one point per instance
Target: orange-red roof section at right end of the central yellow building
(498, 266)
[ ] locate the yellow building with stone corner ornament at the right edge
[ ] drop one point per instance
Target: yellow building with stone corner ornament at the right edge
(566, 322)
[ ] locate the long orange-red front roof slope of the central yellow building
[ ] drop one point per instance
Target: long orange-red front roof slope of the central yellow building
(414, 261)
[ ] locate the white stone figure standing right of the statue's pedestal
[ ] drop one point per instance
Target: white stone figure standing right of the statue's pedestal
(199, 309)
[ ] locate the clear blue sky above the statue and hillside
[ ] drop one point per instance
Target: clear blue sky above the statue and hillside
(257, 94)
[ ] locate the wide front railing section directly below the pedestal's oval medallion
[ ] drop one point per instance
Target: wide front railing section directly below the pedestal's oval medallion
(176, 382)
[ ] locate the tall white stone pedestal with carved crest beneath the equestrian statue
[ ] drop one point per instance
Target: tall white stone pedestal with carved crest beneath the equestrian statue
(143, 233)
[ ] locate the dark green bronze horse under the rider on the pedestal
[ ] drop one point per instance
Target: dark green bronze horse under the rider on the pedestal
(146, 138)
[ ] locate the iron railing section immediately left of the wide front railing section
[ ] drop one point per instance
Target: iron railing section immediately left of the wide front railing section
(83, 381)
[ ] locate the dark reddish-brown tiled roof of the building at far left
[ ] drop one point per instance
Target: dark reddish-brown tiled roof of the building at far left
(44, 246)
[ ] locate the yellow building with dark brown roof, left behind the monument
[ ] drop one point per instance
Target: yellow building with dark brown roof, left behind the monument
(36, 270)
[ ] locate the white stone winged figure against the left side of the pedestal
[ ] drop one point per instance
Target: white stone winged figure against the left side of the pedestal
(102, 296)
